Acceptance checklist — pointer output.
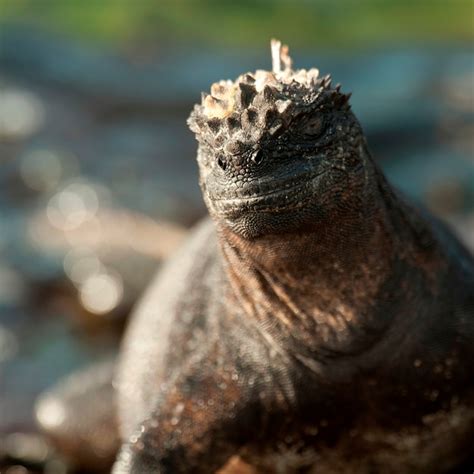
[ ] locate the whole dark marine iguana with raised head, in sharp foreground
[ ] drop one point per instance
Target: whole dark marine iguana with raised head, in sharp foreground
(317, 322)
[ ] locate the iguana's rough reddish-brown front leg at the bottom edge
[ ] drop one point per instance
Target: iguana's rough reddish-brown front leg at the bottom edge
(198, 425)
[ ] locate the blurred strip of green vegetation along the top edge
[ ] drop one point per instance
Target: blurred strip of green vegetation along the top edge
(340, 23)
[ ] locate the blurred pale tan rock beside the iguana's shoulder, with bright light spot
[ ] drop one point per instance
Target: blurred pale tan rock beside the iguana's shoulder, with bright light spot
(109, 256)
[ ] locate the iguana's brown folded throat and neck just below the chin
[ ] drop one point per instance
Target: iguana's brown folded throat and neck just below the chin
(323, 284)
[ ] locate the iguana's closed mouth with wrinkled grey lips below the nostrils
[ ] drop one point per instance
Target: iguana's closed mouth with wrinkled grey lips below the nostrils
(268, 197)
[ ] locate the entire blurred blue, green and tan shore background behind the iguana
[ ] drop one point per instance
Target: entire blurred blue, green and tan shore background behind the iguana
(98, 182)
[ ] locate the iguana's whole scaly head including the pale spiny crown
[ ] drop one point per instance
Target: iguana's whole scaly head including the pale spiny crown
(277, 150)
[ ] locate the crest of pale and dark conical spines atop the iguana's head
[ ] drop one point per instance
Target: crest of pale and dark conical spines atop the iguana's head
(260, 103)
